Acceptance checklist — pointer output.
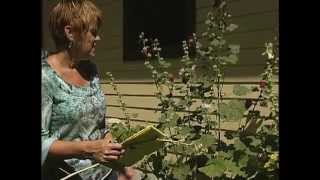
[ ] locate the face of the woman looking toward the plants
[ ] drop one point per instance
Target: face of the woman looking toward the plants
(85, 46)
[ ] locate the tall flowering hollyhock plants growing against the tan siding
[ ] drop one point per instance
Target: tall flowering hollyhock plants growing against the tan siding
(197, 146)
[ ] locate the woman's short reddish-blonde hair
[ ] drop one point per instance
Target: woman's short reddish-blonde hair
(80, 14)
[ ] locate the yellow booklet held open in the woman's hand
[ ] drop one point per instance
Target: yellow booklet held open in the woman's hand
(140, 144)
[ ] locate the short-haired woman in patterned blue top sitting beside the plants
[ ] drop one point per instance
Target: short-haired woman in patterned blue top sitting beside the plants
(73, 129)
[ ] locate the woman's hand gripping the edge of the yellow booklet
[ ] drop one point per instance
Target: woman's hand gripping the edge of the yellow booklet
(106, 151)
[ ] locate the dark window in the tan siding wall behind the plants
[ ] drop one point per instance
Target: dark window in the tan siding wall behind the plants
(171, 21)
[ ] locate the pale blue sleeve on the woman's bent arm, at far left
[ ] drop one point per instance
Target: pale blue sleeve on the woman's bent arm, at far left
(46, 109)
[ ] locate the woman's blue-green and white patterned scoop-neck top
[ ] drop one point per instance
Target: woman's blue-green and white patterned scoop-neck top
(72, 113)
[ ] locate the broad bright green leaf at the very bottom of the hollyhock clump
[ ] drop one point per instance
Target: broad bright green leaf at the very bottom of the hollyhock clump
(215, 169)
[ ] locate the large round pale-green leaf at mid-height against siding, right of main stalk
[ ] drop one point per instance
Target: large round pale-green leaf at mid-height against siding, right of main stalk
(232, 111)
